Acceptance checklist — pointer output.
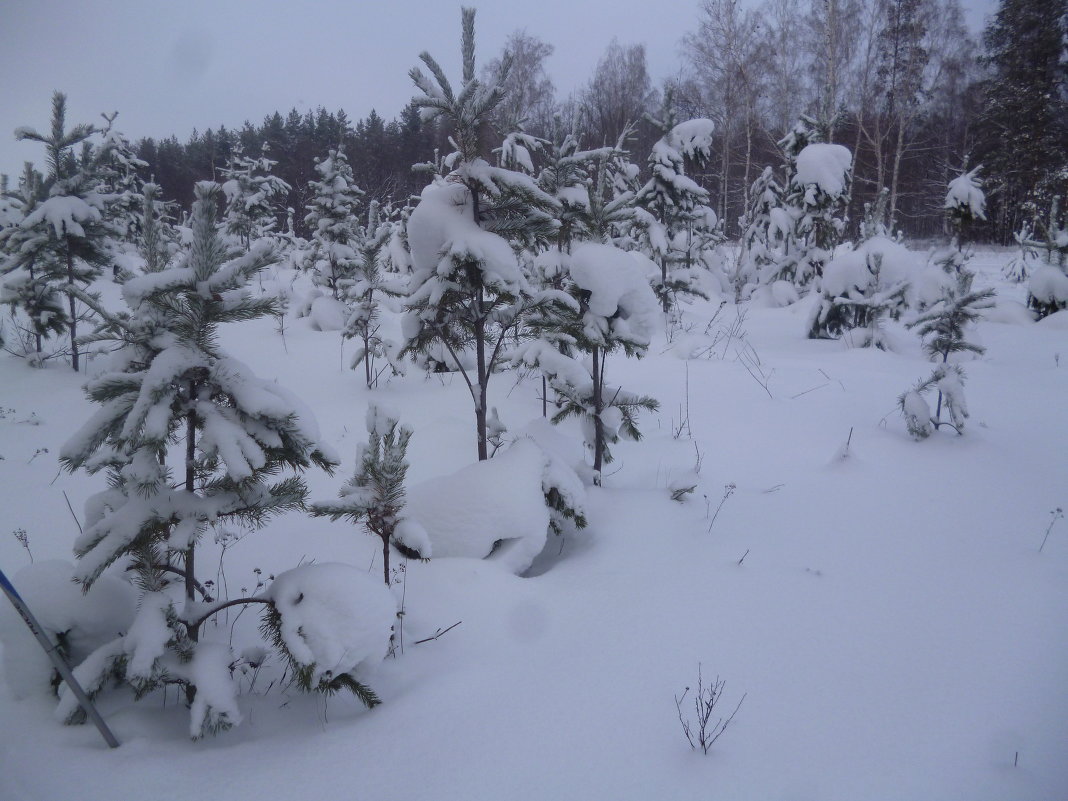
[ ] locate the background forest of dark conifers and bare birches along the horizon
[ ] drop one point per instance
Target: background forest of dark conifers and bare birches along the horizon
(903, 84)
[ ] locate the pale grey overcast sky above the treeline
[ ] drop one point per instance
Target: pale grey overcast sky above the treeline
(169, 68)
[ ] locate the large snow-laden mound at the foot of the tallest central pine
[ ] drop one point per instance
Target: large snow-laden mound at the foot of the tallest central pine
(502, 509)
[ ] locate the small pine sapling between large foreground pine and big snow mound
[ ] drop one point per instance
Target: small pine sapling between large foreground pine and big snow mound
(375, 496)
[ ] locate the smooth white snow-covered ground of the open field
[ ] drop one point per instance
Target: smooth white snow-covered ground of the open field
(882, 604)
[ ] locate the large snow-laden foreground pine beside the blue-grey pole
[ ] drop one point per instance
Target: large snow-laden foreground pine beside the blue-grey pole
(170, 383)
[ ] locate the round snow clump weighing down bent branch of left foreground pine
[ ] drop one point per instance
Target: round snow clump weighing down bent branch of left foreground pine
(335, 618)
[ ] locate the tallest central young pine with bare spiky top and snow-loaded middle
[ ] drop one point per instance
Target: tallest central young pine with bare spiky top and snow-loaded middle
(467, 290)
